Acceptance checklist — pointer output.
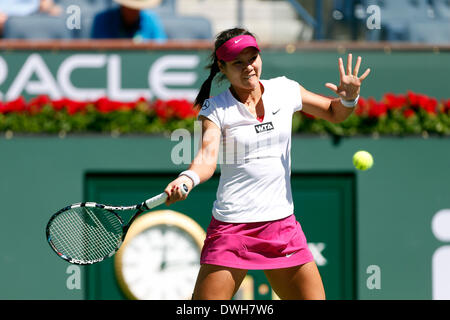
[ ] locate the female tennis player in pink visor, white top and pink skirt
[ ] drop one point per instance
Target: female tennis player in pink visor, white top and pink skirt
(253, 225)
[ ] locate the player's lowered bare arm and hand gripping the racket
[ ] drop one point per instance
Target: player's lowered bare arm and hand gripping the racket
(204, 163)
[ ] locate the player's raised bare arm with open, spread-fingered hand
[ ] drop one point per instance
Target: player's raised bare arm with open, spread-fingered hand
(348, 90)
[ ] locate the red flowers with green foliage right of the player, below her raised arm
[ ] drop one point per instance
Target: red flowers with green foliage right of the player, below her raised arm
(409, 114)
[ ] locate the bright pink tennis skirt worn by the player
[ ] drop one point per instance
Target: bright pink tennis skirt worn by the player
(257, 245)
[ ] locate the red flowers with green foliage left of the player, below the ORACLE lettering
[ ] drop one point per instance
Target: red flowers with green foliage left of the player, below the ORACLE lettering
(41, 115)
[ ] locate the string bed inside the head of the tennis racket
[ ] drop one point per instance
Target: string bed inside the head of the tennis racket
(86, 234)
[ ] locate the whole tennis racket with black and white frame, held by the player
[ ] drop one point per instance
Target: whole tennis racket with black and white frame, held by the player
(89, 232)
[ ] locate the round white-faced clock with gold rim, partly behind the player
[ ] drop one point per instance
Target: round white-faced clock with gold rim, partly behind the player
(160, 257)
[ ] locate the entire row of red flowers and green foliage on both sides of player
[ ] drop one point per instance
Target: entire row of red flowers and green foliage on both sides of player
(408, 114)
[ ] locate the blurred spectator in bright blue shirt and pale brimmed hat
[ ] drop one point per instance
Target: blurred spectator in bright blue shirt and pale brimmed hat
(132, 19)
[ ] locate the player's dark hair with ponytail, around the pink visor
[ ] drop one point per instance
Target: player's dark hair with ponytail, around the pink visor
(221, 38)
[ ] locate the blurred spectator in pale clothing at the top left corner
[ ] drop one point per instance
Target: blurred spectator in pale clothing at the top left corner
(20, 8)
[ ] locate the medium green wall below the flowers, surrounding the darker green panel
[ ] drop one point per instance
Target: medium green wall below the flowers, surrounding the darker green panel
(395, 202)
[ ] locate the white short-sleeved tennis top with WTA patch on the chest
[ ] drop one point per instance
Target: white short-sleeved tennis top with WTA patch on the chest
(254, 158)
